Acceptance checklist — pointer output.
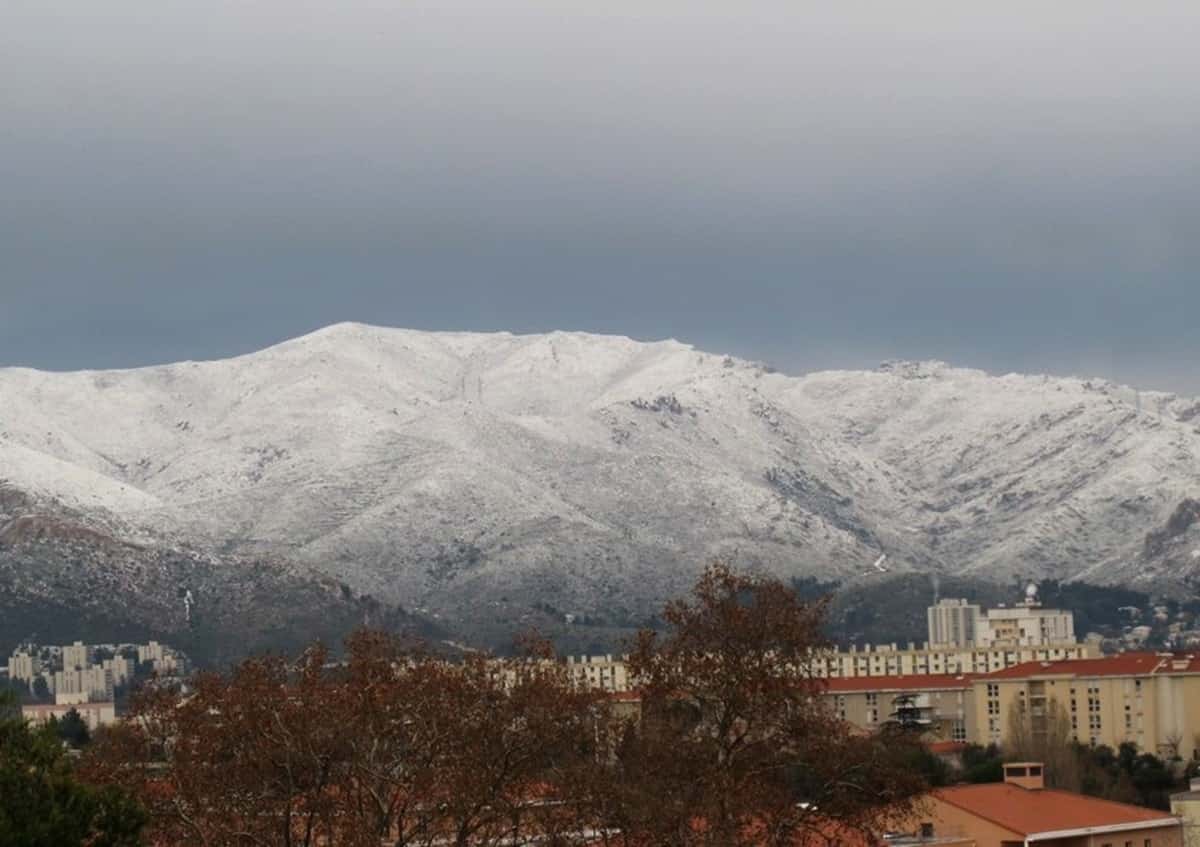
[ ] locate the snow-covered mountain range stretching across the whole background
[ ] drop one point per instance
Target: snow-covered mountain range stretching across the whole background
(476, 476)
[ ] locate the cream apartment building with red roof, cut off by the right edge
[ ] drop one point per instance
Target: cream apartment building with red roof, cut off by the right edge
(1148, 699)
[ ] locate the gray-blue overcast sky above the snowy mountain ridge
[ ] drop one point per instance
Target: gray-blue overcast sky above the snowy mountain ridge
(1005, 185)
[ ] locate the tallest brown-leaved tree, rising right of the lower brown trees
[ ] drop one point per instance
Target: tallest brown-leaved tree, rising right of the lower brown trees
(737, 746)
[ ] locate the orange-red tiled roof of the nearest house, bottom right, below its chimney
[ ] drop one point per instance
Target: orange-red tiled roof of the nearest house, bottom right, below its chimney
(1025, 812)
